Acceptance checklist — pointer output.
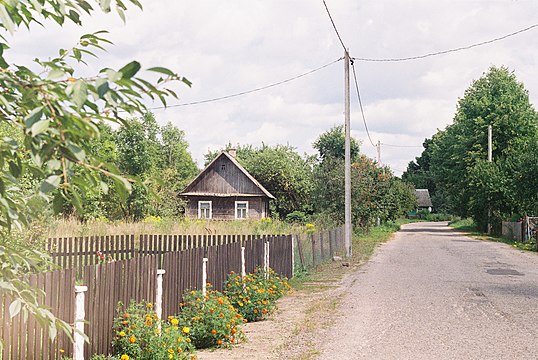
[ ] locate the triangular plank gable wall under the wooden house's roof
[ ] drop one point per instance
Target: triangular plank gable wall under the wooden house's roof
(223, 177)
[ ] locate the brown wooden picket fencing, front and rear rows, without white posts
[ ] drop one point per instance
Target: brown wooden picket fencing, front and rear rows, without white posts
(131, 276)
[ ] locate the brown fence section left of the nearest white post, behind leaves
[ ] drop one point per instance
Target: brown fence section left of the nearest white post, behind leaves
(25, 338)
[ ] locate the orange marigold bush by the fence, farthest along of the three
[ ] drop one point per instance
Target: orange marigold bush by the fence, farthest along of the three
(255, 294)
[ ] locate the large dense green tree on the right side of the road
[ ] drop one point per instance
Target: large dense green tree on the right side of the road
(454, 163)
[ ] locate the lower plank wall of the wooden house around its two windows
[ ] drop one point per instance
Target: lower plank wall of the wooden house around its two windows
(223, 208)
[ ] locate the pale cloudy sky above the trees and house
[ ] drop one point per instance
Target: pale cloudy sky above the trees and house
(227, 47)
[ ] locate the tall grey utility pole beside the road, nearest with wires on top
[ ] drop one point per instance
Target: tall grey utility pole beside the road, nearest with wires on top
(347, 163)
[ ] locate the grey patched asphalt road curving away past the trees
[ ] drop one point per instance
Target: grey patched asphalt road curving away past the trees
(432, 293)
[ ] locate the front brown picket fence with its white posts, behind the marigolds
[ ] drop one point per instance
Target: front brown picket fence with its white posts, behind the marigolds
(160, 278)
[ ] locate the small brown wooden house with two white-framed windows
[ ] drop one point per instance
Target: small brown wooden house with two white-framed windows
(224, 190)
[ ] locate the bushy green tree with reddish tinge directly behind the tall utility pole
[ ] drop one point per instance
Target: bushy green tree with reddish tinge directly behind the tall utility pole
(375, 193)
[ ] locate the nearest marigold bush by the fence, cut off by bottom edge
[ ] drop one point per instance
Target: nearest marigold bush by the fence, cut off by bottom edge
(140, 334)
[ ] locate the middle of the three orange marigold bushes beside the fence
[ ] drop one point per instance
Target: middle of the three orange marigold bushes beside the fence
(212, 320)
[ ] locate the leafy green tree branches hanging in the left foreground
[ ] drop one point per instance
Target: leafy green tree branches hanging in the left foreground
(56, 115)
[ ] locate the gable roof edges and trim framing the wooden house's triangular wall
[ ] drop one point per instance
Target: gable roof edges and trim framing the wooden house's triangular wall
(190, 190)
